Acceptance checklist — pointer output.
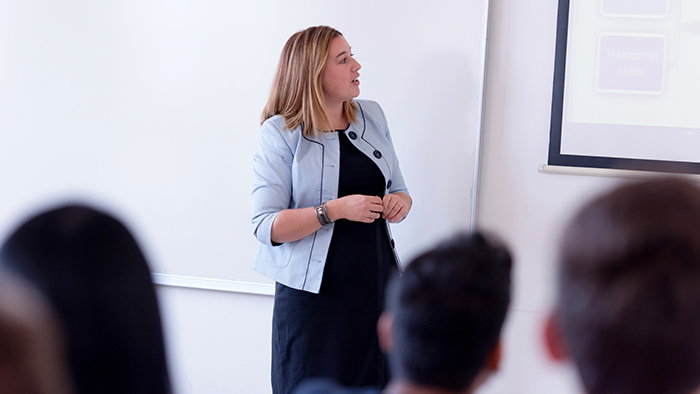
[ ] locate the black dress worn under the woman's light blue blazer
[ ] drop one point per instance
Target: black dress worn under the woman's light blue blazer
(333, 333)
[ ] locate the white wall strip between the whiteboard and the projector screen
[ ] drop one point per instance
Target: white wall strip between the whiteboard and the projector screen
(527, 208)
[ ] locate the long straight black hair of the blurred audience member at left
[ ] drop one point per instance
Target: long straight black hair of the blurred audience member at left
(91, 270)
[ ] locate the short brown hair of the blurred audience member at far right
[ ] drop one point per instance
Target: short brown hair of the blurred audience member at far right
(629, 289)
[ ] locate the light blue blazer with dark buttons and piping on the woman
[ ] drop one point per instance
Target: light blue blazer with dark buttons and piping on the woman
(296, 171)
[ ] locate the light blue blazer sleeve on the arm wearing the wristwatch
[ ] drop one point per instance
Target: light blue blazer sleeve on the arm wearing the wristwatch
(272, 182)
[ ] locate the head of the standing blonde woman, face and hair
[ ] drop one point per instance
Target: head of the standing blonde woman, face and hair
(315, 71)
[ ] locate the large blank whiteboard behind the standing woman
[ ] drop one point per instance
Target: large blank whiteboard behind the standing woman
(151, 110)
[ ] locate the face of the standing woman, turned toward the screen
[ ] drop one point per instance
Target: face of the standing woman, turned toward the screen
(340, 75)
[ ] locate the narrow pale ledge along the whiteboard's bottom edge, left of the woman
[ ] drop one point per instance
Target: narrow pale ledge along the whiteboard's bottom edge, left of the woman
(233, 286)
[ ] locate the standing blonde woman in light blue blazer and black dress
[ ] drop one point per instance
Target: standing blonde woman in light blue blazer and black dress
(327, 181)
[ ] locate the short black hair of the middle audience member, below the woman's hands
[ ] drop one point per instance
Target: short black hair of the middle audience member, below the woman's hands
(449, 306)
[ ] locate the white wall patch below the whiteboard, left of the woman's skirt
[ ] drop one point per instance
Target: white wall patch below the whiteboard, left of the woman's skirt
(218, 342)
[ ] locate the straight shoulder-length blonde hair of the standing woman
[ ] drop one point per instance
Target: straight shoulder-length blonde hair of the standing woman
(297, 91)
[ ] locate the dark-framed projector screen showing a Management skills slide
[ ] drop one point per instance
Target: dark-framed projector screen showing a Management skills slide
(627, 85)
